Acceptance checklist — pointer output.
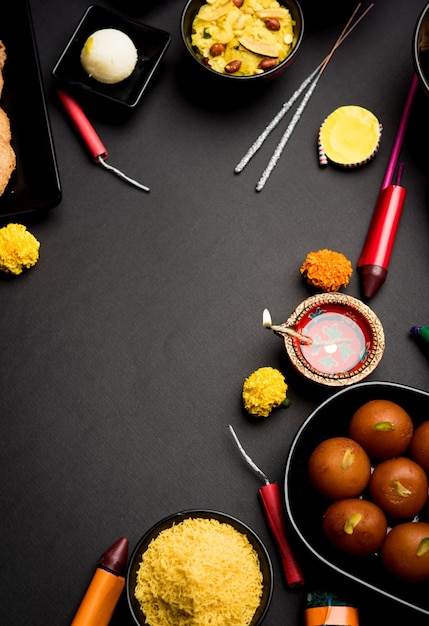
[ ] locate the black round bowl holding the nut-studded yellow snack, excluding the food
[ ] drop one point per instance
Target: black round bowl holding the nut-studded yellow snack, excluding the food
(188, 15)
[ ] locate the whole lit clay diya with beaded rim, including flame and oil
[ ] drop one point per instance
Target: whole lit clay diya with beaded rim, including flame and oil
(332, 339)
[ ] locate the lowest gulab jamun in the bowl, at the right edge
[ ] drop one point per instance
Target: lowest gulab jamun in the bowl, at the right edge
(405, 551)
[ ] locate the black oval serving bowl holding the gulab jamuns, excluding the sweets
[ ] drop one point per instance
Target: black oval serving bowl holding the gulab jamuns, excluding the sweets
(305, 507)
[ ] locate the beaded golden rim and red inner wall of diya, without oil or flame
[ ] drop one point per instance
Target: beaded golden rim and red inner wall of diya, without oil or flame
(354, 312)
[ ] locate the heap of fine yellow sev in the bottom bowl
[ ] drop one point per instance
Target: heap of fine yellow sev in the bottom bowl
(200, 572)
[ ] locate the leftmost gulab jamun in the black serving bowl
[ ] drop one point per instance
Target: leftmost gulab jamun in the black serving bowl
(339, 468)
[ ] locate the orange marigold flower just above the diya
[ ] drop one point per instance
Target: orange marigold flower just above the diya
(327, 270)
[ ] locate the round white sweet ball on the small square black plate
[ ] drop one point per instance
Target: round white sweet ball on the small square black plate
(109, 56)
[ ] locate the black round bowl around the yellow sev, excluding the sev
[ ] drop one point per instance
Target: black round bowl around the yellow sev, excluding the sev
(264, 560)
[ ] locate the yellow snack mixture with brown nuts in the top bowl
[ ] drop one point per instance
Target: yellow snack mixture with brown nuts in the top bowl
(243, 37)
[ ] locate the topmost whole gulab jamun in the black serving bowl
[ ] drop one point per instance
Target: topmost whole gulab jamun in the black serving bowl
(383, 428)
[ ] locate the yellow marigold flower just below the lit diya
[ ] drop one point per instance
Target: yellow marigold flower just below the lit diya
(263, 391)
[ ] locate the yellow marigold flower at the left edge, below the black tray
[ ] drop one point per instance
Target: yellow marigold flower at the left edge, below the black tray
(19, 249)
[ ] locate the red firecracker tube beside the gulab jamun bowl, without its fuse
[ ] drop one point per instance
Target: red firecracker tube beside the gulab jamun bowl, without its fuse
(273, 507)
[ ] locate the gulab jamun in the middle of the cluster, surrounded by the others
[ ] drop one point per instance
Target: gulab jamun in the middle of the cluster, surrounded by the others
(400, 487)
